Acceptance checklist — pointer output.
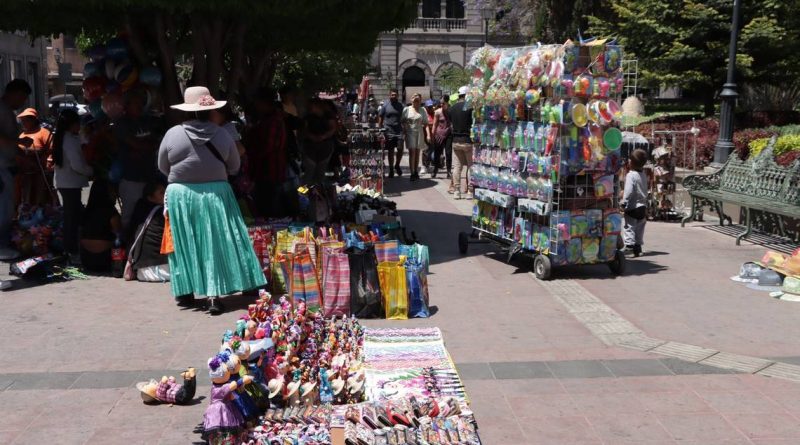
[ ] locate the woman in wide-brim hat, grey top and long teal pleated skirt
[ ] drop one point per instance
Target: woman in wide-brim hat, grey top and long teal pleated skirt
(213, 255)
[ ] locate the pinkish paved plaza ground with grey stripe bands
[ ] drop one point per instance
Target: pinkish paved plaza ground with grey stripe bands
(538, 369)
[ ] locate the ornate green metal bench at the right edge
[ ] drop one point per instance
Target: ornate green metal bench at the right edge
(764, 190)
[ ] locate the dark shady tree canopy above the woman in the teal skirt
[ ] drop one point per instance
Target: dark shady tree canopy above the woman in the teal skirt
(233, 45)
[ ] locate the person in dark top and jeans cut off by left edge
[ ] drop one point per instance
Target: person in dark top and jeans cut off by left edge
(14, 97)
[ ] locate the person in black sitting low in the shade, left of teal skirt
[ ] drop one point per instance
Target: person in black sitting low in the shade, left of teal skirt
(100, 228)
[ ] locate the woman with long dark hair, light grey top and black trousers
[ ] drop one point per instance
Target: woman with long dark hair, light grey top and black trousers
(71, 175)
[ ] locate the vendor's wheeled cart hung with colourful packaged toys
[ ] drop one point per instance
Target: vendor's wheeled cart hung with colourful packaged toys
(546, 184)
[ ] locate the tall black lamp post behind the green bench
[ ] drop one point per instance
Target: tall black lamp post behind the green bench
(724, 145)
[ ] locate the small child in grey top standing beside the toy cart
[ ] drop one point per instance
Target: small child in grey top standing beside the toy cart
(634, 202)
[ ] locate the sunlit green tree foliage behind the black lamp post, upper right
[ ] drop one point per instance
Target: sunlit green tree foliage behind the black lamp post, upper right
(685, 42)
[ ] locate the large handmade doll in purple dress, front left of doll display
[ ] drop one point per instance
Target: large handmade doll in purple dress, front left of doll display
(222, 422)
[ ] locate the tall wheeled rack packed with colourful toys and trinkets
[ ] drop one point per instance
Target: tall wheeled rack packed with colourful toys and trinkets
(546, 157)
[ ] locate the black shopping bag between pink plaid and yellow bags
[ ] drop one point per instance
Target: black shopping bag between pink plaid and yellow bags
(365, 288)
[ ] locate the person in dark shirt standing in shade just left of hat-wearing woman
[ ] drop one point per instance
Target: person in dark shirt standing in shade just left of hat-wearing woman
(137, 137)
